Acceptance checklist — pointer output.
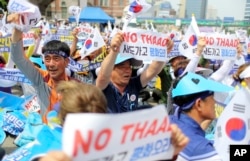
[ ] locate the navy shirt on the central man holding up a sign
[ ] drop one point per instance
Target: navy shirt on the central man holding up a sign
(128, 101)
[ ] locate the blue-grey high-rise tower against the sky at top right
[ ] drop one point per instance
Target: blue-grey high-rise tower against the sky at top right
(198, 8)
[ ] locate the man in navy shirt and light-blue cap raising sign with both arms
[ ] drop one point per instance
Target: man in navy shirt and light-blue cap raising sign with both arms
(114, 78)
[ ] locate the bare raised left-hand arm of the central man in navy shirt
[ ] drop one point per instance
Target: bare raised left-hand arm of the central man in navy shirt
(107, 66)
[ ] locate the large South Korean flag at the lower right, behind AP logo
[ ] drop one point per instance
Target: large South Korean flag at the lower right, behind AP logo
(233, 124)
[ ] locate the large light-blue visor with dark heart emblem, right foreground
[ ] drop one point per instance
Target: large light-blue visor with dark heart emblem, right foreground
(192, 83)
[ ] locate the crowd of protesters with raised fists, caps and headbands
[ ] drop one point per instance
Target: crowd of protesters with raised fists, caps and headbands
(187, 87)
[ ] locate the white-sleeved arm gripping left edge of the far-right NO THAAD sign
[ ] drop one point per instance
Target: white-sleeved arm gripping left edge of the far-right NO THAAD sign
(192, 65)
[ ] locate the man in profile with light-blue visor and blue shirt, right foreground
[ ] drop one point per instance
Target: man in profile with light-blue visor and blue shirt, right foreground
(194, 96)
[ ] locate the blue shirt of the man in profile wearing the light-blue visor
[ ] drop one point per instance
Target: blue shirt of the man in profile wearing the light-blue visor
(198, 148)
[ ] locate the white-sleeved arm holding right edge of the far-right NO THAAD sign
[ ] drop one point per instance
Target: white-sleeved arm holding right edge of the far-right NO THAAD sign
(226, 67)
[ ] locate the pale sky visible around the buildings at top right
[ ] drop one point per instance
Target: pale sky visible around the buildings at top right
(225, 8)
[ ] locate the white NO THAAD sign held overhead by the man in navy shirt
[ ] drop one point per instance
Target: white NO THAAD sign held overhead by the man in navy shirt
(145, 45)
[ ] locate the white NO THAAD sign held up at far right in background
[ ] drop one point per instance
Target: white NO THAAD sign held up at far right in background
(220, 47)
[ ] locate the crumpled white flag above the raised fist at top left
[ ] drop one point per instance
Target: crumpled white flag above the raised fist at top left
(30, 14)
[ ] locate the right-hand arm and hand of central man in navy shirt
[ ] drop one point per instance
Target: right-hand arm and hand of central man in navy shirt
(154, 68)
